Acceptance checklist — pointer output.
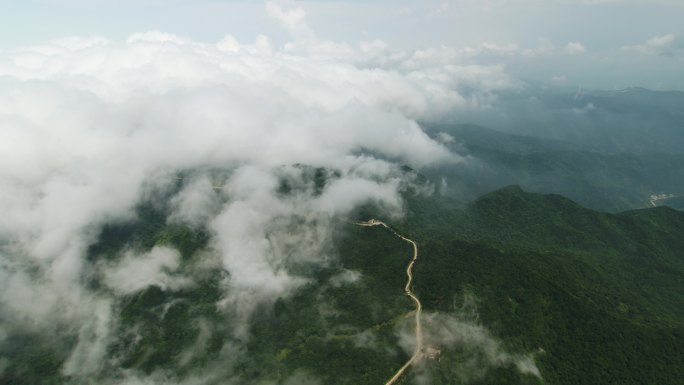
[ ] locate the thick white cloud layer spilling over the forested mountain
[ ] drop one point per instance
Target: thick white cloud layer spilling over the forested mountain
(89, 127)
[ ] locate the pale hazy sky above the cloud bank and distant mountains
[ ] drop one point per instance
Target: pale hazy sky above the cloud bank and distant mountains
(603, 44)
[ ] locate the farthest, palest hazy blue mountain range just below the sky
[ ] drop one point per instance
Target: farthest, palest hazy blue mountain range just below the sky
(633, 120)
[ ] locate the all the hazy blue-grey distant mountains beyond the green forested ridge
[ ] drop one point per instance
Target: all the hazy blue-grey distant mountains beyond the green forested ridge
(607, 150)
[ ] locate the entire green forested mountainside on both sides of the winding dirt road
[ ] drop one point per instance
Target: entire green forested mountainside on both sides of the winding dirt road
(517, 288)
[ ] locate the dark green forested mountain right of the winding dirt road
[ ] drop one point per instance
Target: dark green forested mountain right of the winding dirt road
(601, 294)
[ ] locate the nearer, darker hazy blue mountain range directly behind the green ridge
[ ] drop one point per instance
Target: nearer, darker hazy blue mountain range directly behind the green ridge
(604, 181)
